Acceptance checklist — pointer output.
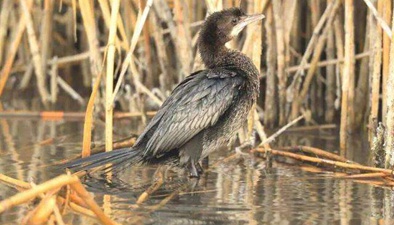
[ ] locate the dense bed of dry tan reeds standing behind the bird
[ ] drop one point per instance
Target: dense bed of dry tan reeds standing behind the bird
(315, 56)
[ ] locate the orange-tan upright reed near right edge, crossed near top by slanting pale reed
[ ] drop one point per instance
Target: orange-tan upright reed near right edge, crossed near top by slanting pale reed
(387, 5)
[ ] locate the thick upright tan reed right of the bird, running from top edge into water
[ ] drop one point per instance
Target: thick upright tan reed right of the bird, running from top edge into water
(347, 110)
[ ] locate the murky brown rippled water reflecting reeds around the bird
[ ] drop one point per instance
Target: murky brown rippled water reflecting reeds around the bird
(242, 191)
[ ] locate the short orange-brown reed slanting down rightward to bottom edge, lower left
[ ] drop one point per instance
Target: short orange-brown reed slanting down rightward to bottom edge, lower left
(87, 198)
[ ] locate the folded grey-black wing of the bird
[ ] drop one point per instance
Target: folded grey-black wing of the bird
(195, 104)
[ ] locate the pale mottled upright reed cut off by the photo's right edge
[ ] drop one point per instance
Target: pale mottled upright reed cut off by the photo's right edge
(389, 139)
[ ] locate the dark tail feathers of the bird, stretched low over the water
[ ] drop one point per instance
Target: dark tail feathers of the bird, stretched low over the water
(116, 159)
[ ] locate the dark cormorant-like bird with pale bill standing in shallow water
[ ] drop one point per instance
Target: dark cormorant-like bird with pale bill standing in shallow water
(203, 112)
